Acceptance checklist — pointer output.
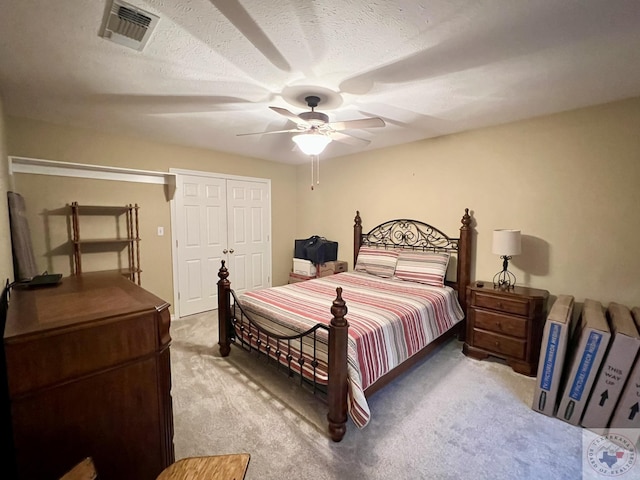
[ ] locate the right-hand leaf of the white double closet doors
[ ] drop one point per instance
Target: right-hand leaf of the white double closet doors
(248, 235)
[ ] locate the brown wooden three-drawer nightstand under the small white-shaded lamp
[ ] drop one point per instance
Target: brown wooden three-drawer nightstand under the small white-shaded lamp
(506, 324)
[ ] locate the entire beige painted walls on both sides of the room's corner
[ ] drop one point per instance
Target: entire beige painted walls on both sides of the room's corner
(568, 181)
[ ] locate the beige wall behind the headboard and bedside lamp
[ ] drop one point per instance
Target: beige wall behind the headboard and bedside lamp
(568, 181)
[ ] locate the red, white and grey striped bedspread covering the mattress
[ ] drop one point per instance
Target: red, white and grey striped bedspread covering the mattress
(389, 321)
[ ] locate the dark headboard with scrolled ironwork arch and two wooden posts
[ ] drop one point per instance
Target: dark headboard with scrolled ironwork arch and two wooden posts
(417, 235)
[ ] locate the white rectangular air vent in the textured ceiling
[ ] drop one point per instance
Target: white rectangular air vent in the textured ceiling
(128, 25)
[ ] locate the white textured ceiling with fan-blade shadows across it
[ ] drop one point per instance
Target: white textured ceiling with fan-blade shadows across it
(212, 68)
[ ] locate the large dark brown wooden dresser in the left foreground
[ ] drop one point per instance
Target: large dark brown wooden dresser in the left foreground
(89, 375)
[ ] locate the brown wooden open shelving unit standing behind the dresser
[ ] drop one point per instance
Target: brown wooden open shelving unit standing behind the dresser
(130, 241)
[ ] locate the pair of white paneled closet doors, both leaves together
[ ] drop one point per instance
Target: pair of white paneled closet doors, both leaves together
(216, 219)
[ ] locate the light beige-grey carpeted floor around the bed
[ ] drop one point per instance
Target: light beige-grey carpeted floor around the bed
(450, 417)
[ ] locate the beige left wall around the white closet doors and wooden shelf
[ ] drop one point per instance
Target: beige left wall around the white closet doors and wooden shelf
(46, 197)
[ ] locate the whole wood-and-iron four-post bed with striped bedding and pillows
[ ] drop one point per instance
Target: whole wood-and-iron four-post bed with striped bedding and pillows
(347, 335)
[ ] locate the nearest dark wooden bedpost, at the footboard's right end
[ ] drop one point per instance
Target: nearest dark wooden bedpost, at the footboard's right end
(337, 389)
